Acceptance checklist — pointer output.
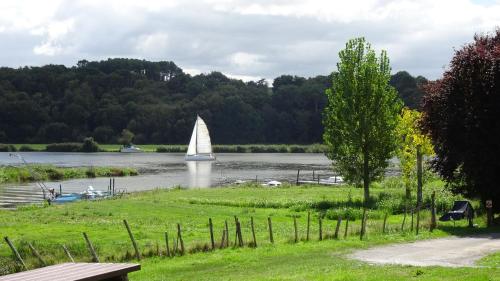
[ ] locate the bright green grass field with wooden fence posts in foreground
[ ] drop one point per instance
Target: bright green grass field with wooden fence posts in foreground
(152, 213)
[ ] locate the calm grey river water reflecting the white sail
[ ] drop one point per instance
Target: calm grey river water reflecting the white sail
(165, 170)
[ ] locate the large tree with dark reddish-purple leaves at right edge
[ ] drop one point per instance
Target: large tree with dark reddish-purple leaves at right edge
(462, 116)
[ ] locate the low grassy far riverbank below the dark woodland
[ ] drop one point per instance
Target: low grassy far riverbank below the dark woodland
(166, 148)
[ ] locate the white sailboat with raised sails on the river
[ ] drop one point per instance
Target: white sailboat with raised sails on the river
(200, 147)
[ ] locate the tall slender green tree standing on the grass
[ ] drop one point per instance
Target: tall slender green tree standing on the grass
(361, 115)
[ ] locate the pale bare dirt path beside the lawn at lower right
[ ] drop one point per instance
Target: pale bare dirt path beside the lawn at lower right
(452, 252)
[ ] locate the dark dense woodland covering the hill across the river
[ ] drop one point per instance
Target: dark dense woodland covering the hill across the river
(158, 102)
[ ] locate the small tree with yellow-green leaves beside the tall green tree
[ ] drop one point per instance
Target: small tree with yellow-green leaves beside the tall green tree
(410, 138)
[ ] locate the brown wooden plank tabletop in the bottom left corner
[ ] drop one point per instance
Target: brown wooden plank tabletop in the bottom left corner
(76, 271)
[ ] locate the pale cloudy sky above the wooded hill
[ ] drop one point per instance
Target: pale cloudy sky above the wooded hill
(247, 40)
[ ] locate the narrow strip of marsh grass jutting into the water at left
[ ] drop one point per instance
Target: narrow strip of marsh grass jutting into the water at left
(20, 174)
